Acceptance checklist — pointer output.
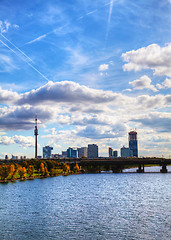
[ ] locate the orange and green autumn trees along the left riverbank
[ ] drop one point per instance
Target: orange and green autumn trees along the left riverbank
(31, 169)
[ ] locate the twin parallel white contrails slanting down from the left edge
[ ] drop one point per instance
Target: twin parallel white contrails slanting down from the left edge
(23, 58)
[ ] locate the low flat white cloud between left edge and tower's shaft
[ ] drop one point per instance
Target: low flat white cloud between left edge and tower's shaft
(17, 139)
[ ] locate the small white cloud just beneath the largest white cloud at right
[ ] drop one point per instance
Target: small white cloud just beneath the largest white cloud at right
(143, 82)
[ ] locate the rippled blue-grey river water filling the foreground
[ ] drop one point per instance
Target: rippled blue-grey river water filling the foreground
(87, 206)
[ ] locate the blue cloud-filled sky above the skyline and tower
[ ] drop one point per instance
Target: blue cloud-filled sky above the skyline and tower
(91, 70)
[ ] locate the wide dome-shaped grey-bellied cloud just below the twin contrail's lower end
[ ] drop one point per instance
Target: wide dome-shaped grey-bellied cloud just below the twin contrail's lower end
(66, 91)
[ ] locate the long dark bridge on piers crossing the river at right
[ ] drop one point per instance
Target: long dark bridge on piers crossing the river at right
(118, 164)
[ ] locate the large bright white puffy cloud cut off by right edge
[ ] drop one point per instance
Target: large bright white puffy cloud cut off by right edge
(151, 57)
